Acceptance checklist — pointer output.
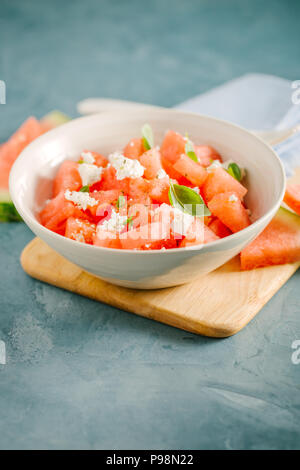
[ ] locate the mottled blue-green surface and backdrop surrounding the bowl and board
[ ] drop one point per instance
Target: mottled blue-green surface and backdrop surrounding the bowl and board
(85, 375)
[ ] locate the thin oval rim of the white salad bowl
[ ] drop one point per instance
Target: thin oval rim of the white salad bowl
(125, 113)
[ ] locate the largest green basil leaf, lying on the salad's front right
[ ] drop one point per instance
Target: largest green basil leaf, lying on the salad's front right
(187, 200)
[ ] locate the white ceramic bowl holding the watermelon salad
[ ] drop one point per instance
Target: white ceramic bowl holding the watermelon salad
(30, 183)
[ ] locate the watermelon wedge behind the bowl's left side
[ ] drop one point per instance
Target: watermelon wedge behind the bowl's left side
(10, 150)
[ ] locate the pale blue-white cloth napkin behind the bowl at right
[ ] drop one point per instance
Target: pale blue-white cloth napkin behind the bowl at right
(255, 101)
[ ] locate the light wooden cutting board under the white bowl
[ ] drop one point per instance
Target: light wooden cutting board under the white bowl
(219, 304)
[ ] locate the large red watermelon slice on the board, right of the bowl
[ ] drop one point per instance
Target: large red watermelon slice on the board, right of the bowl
(279, 243)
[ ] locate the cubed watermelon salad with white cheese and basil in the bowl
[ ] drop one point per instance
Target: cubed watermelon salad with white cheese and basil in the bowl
(147, 197)
